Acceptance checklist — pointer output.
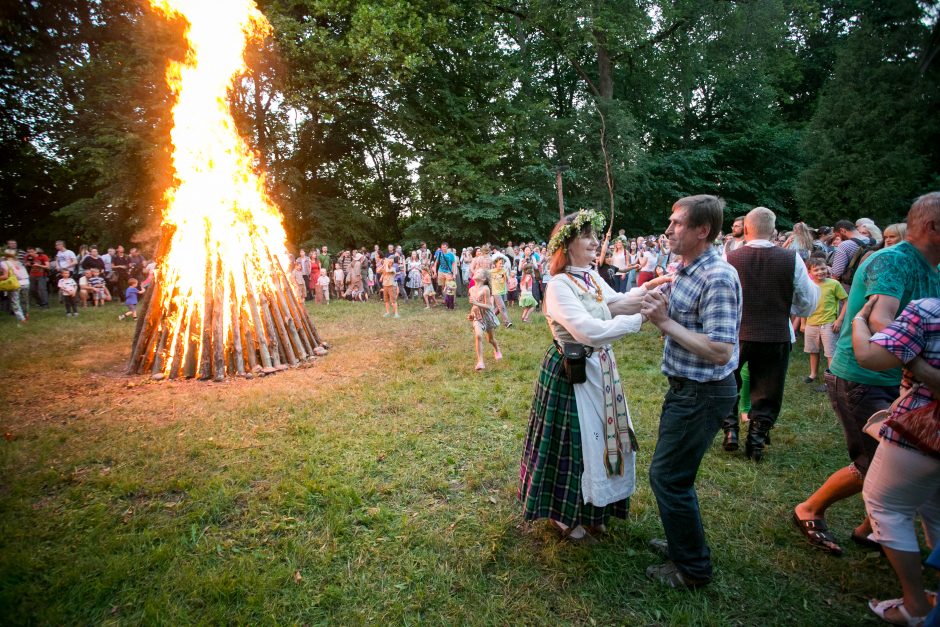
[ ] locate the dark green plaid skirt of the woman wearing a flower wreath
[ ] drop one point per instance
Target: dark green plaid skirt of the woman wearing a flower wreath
(552, 464)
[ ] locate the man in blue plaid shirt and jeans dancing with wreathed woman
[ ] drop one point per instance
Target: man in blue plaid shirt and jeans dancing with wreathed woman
(700, 318)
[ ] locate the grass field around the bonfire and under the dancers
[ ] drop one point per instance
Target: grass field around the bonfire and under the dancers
(377, 486)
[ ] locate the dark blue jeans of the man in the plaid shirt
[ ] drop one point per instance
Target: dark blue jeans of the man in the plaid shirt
(691, 416)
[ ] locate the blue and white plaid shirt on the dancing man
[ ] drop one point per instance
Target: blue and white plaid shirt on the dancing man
(705, 297)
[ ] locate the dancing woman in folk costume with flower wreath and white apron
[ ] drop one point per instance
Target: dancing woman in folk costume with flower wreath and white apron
(578, 465)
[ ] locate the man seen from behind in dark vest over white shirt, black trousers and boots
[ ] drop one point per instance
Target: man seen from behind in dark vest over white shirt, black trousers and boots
(775, 284)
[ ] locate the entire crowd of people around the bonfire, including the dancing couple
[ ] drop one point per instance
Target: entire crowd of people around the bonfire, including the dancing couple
(730, 309)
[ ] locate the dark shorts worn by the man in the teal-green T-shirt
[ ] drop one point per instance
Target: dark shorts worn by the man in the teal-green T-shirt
(854, 403)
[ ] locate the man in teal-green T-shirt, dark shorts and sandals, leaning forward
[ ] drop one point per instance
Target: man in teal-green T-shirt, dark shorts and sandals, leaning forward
(897, 275)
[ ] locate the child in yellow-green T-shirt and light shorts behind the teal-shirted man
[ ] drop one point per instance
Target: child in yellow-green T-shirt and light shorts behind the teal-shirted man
(823, 326)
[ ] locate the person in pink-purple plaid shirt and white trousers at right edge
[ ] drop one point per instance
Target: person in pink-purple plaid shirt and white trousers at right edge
(904, 477)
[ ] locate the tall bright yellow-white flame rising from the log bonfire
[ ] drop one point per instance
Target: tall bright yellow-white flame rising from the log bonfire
(226, 254)
